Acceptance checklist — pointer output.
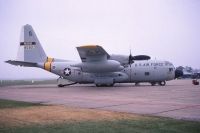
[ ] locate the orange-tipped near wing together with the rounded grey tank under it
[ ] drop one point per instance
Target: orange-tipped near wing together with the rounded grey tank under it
(96, 60)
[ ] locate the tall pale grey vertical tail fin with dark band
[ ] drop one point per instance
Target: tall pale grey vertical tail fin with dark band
(30, 49)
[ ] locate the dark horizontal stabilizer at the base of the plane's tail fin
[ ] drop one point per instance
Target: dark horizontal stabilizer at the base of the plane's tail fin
(21, 63)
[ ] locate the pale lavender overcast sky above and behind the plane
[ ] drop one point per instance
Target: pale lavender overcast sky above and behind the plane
(164, 29)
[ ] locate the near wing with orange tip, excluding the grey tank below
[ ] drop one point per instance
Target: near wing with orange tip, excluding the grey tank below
(90, 53)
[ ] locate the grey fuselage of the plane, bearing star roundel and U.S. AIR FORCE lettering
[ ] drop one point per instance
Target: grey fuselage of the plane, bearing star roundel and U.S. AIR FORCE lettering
(139, 71)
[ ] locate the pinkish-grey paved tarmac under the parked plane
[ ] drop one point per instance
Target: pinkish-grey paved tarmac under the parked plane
(178, 99)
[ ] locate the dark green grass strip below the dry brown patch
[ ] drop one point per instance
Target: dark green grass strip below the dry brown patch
(120, 126)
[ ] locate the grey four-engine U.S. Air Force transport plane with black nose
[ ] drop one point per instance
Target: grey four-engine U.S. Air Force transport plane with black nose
(97, 65)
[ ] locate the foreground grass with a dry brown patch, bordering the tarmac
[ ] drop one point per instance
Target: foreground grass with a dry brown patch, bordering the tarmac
(88, 121)
